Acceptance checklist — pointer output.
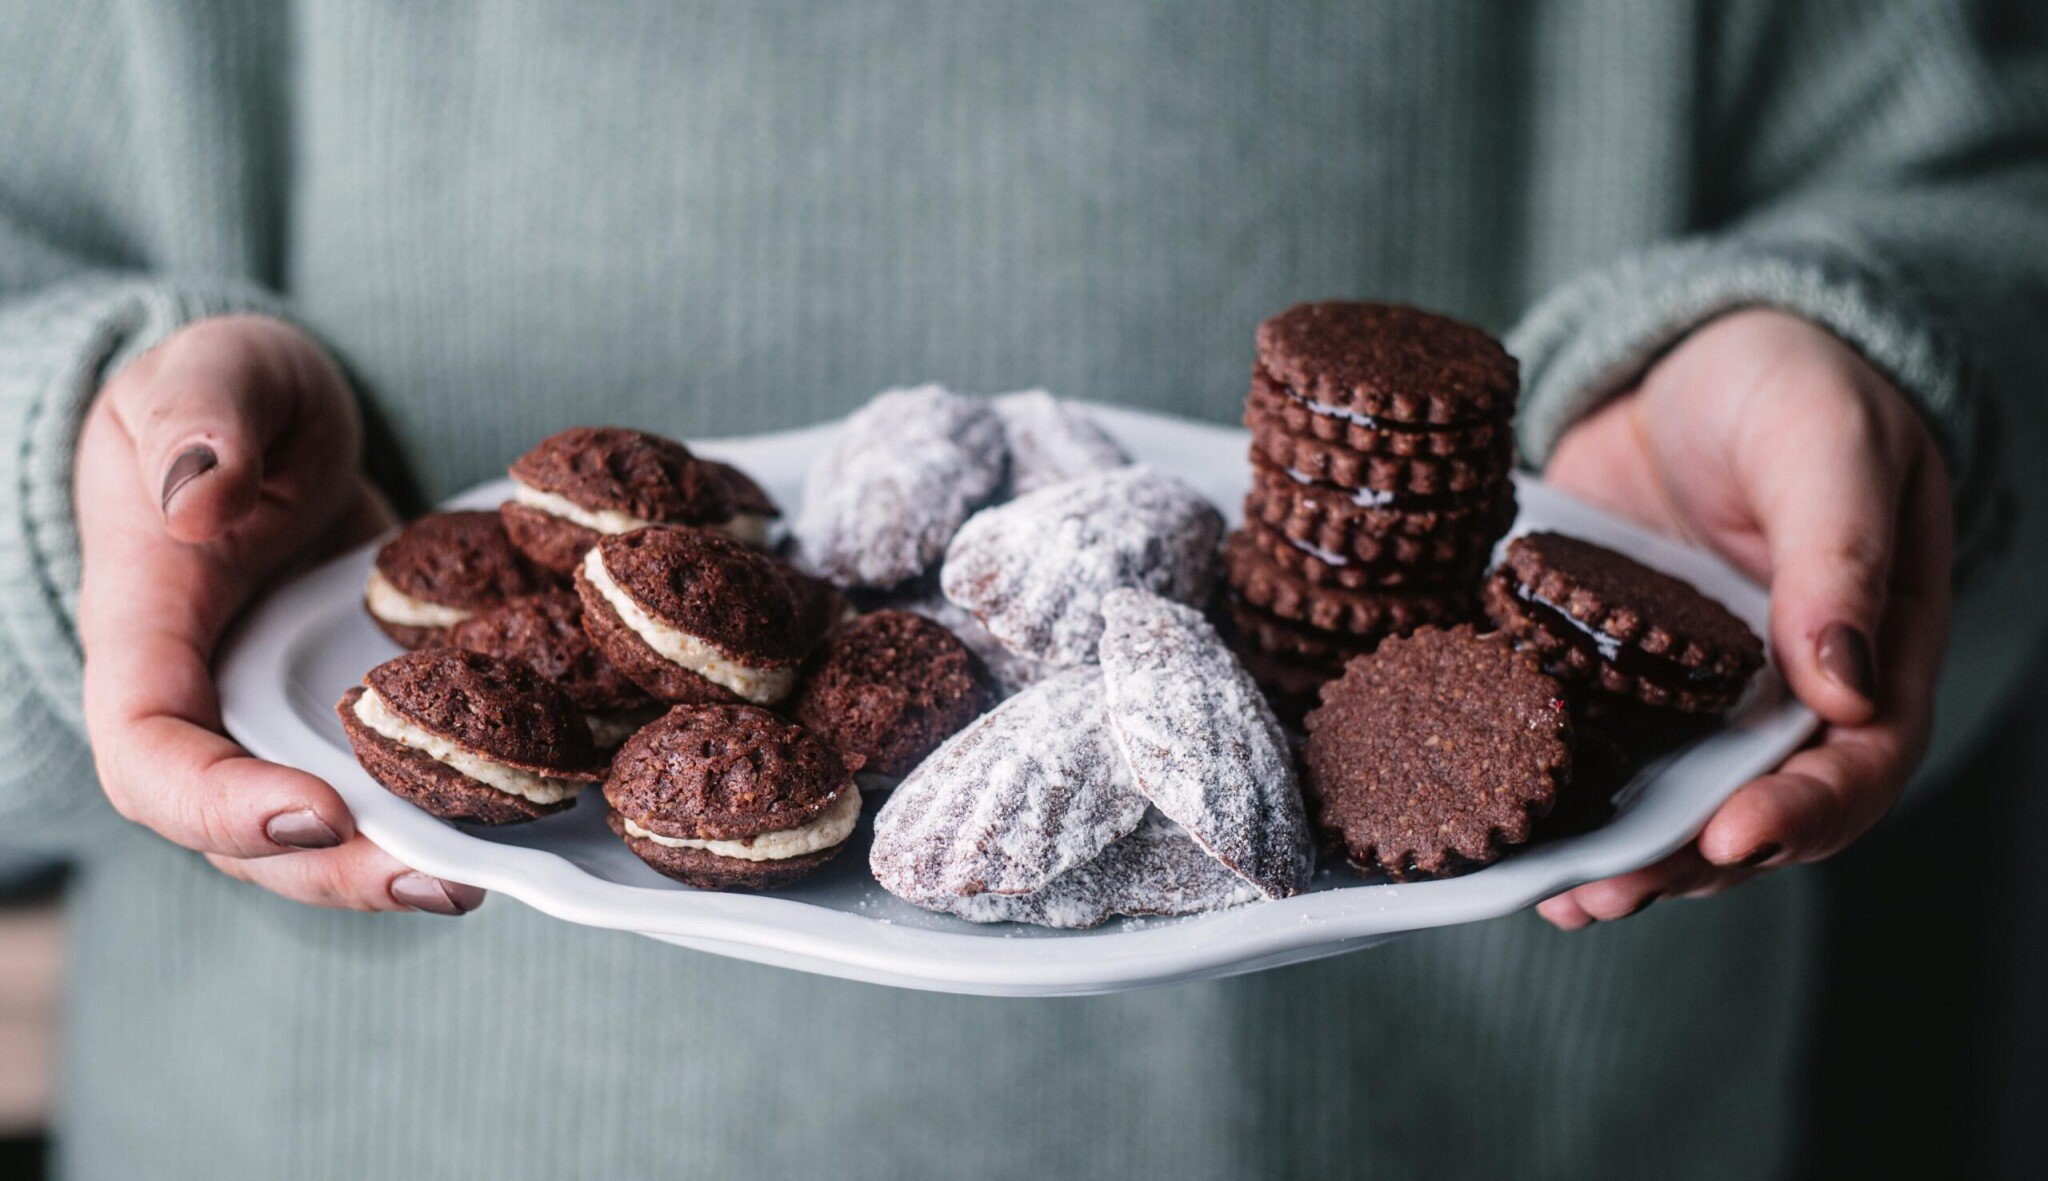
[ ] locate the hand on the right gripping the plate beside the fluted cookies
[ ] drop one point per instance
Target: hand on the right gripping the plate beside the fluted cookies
(1773, 443)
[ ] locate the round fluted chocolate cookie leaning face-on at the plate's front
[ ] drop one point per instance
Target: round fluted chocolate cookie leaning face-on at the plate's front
(1437, 752)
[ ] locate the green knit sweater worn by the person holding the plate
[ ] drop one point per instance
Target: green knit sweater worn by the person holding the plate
(730, 216)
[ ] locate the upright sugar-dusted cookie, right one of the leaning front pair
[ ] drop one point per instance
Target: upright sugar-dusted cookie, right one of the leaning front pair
(1201, 740)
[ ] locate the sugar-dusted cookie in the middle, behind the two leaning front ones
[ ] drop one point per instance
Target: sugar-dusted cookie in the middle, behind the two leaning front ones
(1037, 568)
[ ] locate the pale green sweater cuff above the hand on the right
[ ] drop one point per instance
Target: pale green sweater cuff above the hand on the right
(1598, 335)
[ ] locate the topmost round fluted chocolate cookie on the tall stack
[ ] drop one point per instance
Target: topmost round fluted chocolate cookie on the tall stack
(1388, 365)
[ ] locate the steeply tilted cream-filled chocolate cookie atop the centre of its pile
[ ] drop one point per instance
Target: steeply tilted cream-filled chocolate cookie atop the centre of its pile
(693, 617)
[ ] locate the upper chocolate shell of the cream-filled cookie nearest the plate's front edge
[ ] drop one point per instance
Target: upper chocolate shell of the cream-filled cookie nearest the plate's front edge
(724, 775)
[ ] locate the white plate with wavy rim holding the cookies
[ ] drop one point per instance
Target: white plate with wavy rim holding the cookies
(306, 644)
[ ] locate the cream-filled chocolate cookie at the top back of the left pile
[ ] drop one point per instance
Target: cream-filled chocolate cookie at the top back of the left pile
(595, 482)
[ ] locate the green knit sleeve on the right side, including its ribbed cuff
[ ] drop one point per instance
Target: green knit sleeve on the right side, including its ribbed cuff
(1877, 171)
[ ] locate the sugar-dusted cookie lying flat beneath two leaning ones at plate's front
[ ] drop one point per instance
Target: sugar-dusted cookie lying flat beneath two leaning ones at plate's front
(1154, 871)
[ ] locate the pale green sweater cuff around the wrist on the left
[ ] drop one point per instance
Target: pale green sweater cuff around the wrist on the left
(56, 349)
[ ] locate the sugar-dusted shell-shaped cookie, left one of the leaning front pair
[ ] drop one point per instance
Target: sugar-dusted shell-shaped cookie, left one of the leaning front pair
(1023, 795)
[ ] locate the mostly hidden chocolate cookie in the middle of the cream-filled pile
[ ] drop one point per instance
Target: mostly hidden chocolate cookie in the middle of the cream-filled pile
(546, 631)
